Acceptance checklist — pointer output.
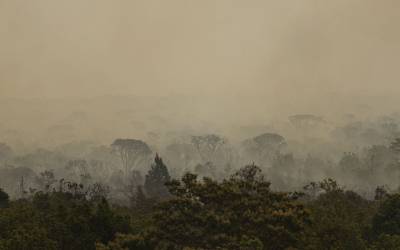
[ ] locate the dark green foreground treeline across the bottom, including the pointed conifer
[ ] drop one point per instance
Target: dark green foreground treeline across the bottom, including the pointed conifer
(239, 212)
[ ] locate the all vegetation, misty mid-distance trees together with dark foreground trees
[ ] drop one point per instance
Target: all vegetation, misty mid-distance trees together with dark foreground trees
(201, 195)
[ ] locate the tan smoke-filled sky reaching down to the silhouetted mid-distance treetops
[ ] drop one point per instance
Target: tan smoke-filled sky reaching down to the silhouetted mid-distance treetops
(126, 68)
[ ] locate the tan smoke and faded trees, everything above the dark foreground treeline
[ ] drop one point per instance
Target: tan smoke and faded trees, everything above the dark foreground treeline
(304, 90)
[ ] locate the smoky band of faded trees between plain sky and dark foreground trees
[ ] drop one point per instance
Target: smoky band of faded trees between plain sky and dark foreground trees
(73, 139)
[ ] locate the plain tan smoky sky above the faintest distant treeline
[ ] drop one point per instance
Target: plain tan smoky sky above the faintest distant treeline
(296, 52)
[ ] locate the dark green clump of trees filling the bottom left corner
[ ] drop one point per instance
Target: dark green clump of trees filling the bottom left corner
(59, 220)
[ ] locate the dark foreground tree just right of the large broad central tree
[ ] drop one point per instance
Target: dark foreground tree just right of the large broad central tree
(340, 219)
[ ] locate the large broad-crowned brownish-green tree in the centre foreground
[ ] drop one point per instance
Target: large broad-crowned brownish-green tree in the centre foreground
(241, 211)
